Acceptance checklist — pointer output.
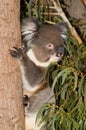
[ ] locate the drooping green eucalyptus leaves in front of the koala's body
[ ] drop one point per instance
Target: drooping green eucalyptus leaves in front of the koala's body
(68, 81)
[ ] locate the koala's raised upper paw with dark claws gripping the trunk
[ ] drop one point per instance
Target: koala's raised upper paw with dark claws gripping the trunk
(16, 52)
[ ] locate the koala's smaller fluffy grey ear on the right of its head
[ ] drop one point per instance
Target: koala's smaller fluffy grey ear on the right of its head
(62, 29)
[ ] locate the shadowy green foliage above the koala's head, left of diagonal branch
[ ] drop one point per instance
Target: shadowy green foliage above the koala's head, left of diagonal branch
(42, 9)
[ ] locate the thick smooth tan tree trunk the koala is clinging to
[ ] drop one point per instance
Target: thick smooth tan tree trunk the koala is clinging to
(11, 108)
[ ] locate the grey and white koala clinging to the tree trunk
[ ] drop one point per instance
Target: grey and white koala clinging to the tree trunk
(42, 44)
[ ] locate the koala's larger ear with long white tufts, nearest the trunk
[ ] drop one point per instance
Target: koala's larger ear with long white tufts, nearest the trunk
(29, 29)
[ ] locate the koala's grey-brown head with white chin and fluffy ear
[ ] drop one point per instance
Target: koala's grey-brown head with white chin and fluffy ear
(44, 42)
